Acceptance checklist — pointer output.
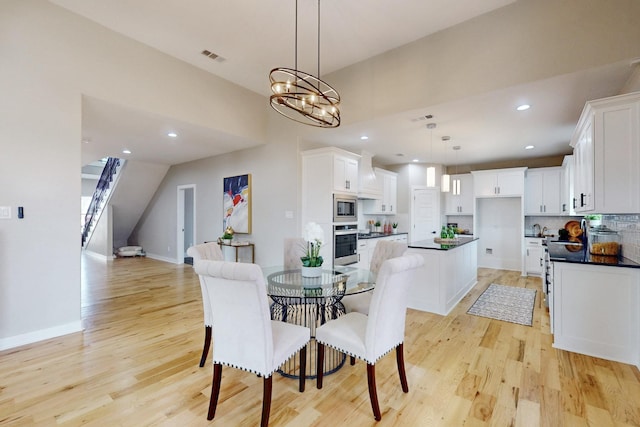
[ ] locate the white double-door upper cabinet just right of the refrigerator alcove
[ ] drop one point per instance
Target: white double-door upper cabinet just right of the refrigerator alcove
(542, 191)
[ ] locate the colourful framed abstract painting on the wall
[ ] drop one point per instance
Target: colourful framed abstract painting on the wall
(236, 202)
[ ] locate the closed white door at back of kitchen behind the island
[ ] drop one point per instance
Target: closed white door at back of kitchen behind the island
(425, 213)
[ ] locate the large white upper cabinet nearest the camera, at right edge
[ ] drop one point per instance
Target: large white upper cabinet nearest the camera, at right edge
(607, 154)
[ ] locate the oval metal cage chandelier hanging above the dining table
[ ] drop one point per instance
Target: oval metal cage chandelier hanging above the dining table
(303, 97)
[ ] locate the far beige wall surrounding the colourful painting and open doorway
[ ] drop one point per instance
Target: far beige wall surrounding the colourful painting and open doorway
(275, 189)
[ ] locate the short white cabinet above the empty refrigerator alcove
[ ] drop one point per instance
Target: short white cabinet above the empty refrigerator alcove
(499, 182)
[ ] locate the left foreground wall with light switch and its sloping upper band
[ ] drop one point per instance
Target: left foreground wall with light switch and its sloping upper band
(50, 58)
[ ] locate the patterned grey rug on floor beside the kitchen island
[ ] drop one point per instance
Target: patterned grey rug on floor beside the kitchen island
(506, 303)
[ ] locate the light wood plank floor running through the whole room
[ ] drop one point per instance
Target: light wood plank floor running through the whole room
(136, 364)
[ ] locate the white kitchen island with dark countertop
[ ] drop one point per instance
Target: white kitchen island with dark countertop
(449, 272)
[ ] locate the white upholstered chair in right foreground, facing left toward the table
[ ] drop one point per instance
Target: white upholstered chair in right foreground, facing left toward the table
(369, 337)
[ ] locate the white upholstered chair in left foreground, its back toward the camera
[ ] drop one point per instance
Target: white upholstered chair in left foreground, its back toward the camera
(245, 336)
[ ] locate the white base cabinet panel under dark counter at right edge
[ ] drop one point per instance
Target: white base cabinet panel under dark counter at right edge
(595, 310)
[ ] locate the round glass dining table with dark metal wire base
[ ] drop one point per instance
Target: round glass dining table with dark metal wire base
(312, 301)
